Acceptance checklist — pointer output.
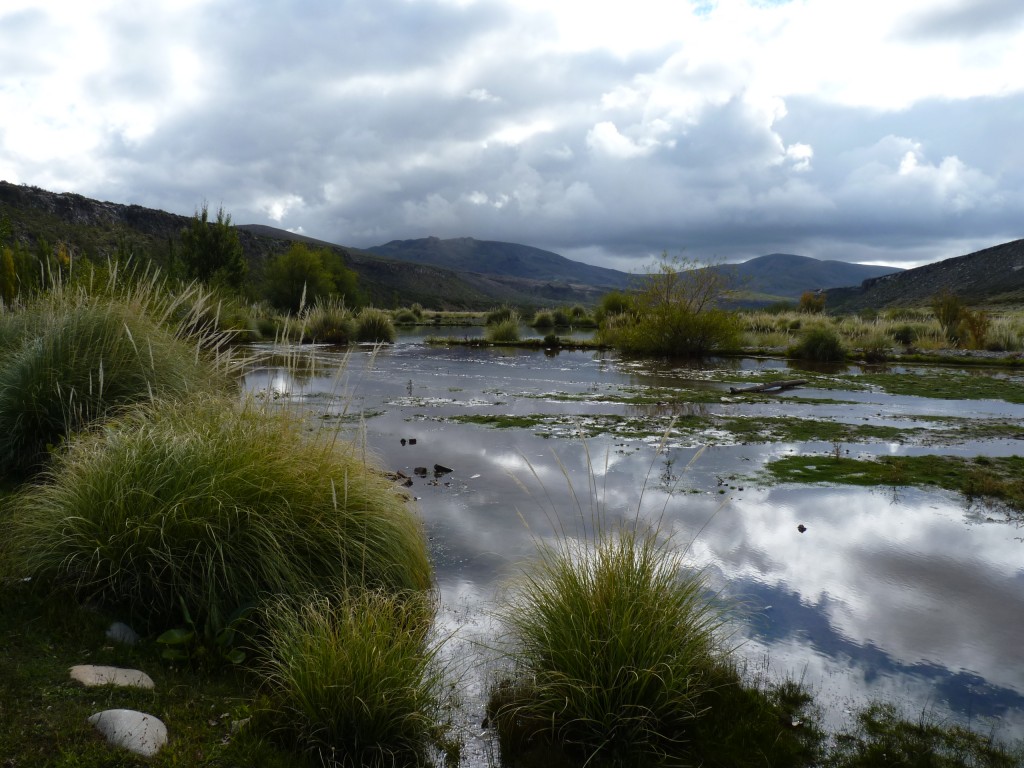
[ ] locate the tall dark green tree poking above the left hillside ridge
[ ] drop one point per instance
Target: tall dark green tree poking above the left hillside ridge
(211, 252)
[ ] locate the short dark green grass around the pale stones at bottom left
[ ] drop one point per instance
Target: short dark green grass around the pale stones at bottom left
(44, 713)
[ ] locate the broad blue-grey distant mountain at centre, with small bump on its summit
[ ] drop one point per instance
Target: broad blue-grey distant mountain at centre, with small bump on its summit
(506, 260)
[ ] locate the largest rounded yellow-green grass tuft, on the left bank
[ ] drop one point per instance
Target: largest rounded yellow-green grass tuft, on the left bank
(211, 506)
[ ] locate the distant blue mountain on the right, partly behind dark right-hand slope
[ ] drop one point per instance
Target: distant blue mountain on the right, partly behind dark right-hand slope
(785, 277)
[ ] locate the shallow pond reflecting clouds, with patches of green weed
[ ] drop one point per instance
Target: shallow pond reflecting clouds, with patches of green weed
(901, 593)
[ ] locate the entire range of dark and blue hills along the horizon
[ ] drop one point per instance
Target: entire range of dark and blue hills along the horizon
(465, 273)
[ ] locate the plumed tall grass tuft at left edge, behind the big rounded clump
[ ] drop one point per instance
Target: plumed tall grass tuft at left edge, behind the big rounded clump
(74, 357)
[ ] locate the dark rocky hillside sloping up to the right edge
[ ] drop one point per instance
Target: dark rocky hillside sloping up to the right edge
(993, 277)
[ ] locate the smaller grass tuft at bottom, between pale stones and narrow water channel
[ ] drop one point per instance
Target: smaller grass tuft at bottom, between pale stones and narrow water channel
(355, 680)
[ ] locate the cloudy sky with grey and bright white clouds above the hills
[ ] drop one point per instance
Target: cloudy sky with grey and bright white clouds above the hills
(879, 132)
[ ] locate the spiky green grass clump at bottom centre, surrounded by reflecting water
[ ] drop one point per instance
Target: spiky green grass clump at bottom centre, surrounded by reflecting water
(617, 657)
